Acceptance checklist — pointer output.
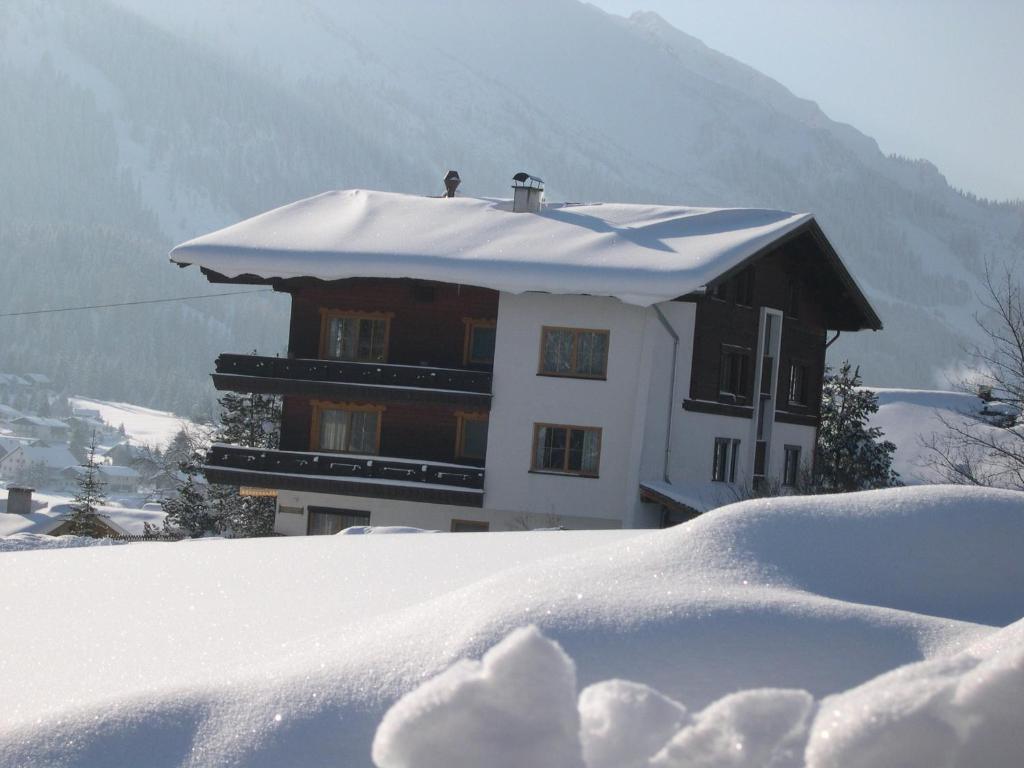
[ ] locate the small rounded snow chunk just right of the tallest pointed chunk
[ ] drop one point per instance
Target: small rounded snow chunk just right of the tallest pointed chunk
(623, 724)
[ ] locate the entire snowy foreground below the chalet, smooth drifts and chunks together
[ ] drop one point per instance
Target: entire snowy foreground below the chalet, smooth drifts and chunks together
(289, 652)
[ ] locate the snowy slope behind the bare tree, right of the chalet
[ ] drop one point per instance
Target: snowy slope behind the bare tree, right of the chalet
(911, 417)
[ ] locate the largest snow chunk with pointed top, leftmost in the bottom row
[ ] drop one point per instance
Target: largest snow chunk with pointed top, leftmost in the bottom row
(516, 708)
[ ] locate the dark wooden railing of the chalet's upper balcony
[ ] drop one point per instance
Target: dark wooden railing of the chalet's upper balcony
(360, 374)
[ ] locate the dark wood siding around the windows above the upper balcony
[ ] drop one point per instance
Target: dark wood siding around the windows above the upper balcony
(428, 327)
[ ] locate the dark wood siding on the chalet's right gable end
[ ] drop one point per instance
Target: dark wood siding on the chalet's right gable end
(726, 323)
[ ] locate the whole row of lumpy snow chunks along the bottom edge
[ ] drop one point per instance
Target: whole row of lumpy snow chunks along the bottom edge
(516, 709)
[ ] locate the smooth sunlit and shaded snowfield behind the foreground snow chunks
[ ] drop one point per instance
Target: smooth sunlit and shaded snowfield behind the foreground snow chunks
(296, 648)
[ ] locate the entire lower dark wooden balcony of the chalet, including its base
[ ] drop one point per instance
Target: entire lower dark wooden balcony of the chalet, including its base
(372, 477)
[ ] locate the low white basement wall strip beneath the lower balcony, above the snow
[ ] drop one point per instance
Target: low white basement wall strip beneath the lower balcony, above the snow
(417, 515)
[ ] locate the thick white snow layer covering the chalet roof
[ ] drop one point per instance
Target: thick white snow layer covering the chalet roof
(642, 254)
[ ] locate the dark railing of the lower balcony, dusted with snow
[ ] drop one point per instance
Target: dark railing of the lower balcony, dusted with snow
(342, 467)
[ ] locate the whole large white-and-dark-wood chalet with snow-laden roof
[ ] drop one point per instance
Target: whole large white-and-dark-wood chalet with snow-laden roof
(470, 364)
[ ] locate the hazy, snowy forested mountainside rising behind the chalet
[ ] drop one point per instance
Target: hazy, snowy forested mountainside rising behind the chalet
(133, 124)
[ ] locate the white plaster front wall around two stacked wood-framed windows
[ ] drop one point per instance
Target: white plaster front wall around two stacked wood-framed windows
(523, 399)
